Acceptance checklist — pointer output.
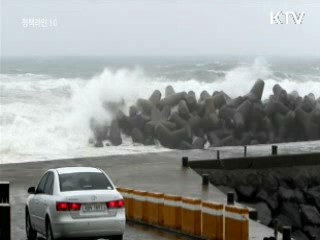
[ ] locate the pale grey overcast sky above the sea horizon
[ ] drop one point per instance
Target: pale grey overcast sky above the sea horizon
(158, 27)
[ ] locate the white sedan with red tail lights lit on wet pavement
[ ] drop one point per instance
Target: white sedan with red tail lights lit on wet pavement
(75, 202)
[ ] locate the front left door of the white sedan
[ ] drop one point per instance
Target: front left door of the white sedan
(35, 203)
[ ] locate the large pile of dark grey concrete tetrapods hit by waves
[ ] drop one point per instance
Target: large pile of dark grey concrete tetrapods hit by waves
(223, 121)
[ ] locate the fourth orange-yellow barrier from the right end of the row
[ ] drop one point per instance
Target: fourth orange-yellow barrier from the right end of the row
(172, 211)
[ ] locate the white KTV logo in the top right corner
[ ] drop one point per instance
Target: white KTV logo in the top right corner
(286, 17)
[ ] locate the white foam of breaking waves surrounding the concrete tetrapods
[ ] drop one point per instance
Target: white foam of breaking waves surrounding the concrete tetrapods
(47, 118)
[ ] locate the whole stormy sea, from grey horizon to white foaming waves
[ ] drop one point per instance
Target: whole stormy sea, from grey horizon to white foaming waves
(46, 103)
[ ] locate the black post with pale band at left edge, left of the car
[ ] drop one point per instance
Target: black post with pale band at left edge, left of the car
(5, 211)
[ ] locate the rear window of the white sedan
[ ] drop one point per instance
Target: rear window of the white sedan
(84, 181)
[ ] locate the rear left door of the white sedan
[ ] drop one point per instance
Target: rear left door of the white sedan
(44, 202)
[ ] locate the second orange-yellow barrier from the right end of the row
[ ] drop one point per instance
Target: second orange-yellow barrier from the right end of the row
(212, 220)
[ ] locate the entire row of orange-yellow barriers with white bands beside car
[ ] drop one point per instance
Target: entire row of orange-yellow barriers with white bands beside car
(210, 220)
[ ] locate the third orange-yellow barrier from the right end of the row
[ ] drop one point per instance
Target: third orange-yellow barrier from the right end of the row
(191, 216)
